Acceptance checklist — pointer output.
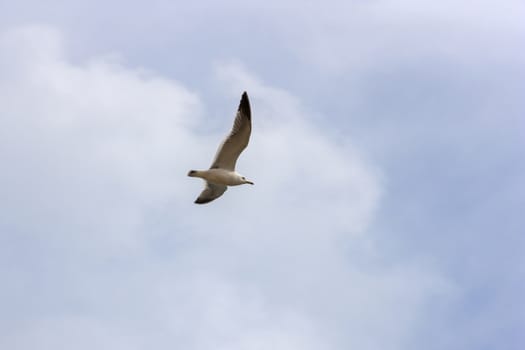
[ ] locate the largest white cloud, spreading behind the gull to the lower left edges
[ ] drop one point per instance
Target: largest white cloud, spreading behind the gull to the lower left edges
(96, 159)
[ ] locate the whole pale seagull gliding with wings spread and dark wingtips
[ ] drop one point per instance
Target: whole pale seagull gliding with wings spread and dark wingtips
(222, 171)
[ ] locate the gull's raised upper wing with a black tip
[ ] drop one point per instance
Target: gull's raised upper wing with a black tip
(237, 140)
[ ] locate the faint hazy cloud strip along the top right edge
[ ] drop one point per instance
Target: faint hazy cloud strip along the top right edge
(357, 36)
